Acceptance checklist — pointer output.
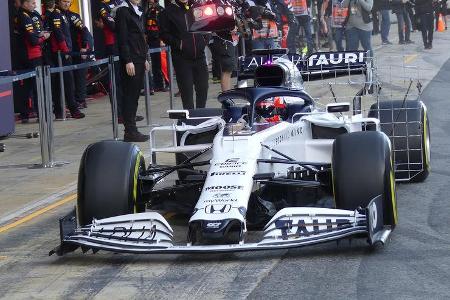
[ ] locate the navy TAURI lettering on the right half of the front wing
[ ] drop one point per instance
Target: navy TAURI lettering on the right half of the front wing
(302, 228)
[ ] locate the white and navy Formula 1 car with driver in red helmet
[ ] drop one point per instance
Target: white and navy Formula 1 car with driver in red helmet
(268, 170)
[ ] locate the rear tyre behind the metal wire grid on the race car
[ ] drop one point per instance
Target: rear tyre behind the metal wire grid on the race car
(407, 125)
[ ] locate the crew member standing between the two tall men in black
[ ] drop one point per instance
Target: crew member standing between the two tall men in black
(154, 41)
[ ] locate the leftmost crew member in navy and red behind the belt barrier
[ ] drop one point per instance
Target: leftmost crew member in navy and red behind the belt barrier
(31, 39)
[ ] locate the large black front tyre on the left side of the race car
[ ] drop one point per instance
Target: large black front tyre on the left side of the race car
(108, 182)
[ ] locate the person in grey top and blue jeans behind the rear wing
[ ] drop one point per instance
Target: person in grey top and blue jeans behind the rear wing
(359, 25)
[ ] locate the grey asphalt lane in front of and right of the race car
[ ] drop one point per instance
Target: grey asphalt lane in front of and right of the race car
(414, 264)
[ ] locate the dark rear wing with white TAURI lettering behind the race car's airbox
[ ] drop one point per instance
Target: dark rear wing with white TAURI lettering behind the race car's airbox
(318, 65)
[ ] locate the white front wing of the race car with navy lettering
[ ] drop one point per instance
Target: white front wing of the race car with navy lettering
(291, 227)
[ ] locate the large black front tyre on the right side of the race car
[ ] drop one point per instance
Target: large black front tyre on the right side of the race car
(362, 169)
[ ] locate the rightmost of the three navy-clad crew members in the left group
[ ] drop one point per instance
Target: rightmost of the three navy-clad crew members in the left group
(82, 43)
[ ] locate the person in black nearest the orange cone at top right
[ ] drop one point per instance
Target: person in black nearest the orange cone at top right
(424, 9)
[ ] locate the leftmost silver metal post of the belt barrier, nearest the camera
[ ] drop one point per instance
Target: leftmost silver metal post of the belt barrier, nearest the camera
(42, 117)
